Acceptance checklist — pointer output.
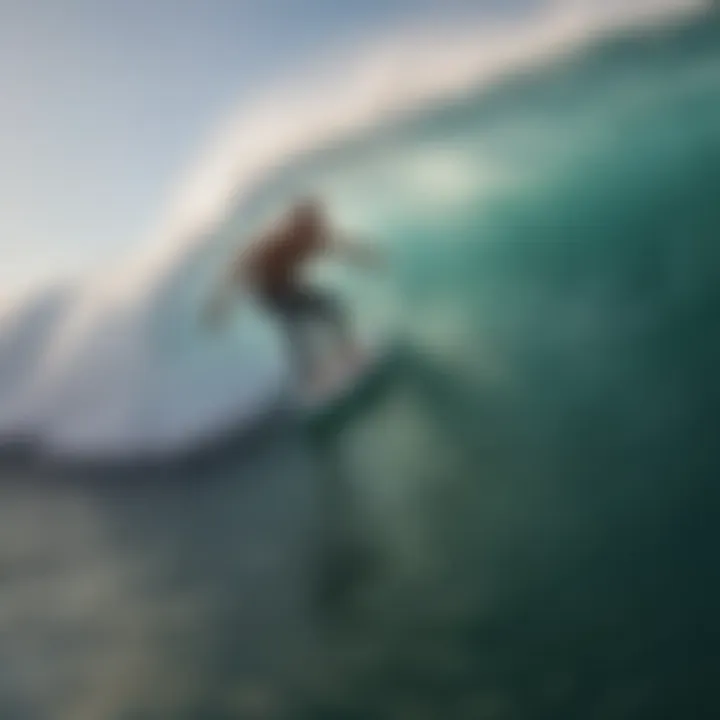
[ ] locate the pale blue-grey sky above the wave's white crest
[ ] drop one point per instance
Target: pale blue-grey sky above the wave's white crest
(104, 103)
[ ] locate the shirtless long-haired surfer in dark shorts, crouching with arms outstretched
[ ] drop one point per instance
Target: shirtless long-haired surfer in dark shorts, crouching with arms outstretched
(270, 269)
